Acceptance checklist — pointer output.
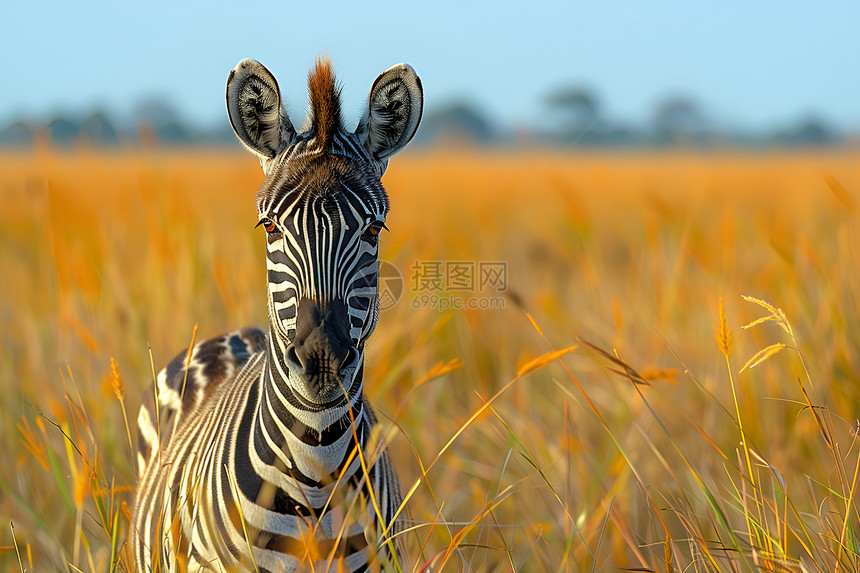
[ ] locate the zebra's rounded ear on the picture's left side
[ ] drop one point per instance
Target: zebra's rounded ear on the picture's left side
(254, 107)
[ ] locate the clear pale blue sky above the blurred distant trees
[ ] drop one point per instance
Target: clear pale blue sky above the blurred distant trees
(750, 64)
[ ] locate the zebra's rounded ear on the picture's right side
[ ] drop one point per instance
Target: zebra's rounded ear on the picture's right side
(393, 112)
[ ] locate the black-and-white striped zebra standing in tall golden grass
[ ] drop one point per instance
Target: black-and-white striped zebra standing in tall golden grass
(259, 451)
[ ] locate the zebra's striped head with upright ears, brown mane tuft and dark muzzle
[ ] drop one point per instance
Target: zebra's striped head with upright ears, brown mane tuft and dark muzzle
(322, 206)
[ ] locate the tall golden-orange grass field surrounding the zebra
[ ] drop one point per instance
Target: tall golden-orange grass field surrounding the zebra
(602, 408)
